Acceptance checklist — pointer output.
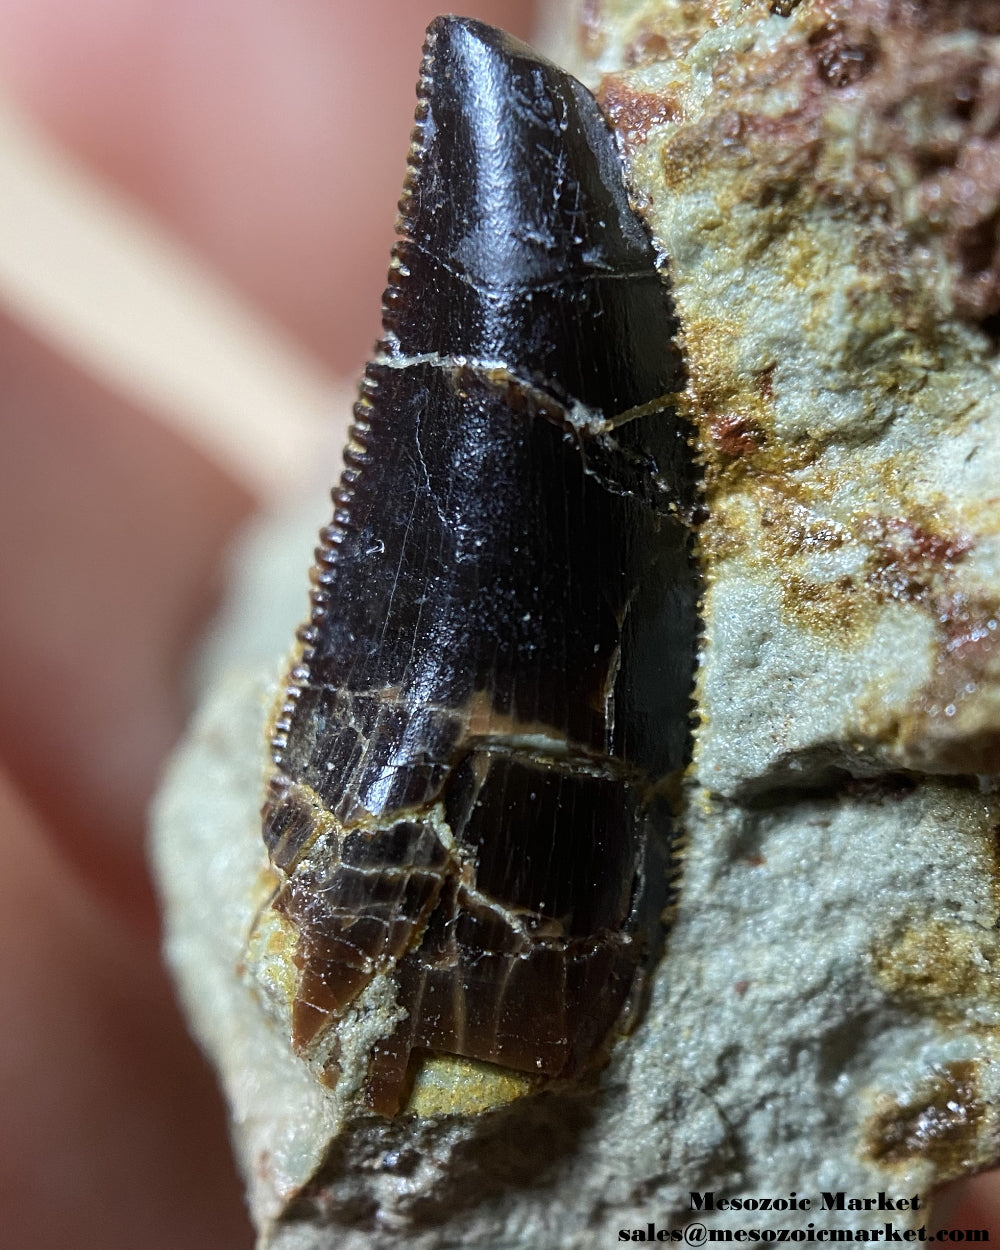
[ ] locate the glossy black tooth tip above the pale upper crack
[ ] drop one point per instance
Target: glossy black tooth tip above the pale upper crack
(519, 233)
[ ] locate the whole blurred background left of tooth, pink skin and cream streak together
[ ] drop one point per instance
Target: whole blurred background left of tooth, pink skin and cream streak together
(197, 206)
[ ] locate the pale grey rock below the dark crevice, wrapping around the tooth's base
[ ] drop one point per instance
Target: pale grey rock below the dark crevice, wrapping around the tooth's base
(826, 1019)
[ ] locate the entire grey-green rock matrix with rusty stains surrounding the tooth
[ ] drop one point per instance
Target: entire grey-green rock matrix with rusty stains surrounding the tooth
(826, 184)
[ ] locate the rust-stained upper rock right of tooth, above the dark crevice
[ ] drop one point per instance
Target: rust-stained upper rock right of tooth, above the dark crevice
(827, 188)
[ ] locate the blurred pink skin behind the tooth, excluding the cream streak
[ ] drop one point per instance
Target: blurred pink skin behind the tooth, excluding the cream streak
(271, 138)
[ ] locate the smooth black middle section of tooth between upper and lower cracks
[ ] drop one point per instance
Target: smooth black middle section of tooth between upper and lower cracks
(466, 593)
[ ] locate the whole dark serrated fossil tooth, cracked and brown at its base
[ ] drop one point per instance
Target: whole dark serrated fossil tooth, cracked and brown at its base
(504, 611)
